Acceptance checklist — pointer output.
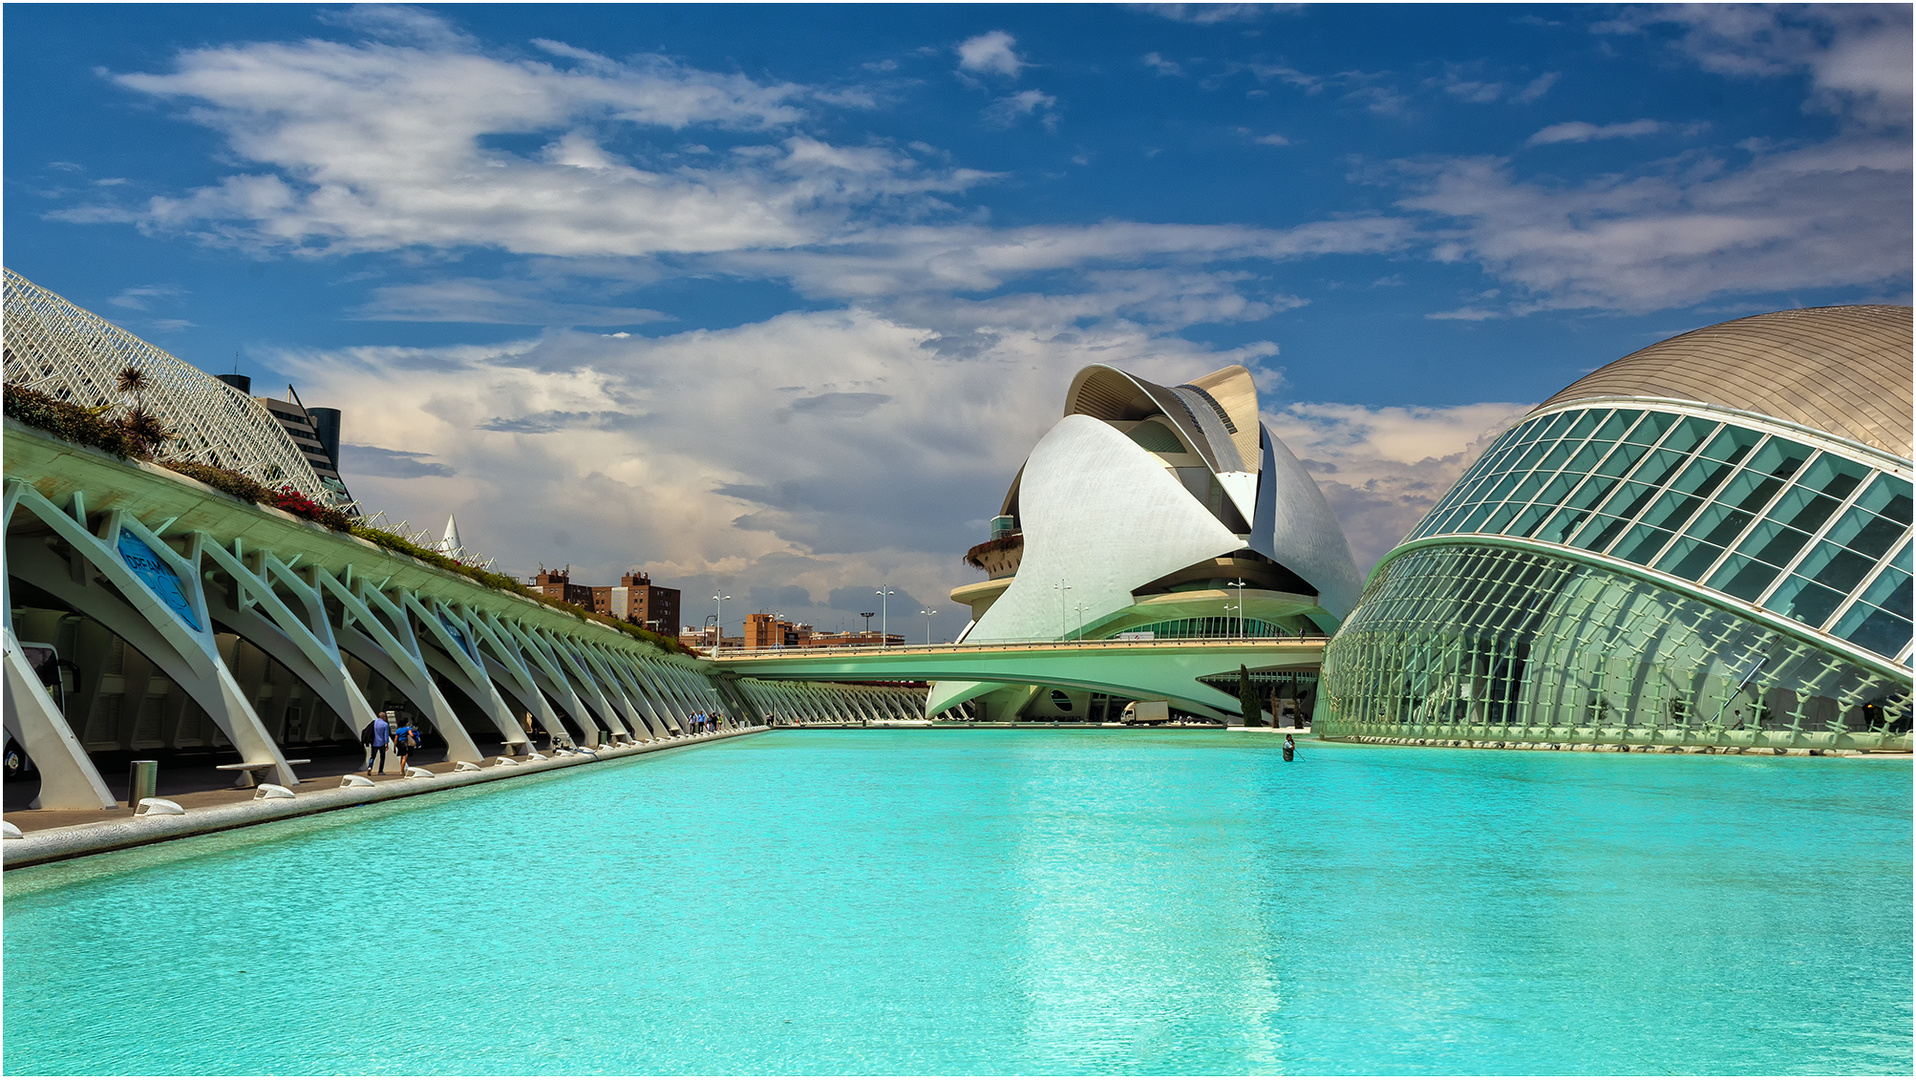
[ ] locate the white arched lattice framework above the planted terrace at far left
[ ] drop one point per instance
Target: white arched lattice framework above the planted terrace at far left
(74, 355)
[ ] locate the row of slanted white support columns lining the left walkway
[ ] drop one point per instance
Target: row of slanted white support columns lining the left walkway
(164, 595)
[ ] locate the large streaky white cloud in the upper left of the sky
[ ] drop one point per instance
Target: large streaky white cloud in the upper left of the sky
(384, 146)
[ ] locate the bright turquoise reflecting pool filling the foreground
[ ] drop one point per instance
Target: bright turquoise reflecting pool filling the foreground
(1009, 903)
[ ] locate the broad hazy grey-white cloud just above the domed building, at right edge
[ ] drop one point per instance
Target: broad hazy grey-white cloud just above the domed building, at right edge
(1823, 215)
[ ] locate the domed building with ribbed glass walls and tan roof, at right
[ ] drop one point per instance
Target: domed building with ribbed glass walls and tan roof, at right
(1702, 545)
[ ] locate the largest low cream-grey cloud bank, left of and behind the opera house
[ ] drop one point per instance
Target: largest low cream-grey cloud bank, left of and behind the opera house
(729, 459)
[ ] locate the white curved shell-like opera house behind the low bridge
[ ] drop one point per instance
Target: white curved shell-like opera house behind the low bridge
(1166, 512)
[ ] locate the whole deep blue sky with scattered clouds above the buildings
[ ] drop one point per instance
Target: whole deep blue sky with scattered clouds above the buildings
(777, 300)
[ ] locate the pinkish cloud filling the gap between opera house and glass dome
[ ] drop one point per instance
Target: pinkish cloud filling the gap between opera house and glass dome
(1384, 468)
